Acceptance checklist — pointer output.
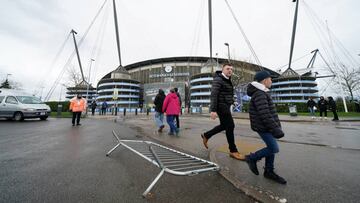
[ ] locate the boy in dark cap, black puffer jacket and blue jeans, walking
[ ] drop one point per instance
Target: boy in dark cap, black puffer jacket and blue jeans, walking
(265, 121)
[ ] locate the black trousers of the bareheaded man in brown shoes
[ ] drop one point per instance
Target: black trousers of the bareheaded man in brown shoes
(227, 124)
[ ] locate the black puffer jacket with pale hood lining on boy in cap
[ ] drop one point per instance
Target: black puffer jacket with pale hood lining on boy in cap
(263, 116)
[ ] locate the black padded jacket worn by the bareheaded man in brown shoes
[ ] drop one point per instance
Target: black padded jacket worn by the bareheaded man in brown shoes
(222, 93)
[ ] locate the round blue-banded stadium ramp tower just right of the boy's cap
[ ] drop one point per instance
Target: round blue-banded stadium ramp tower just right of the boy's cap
(292, 87)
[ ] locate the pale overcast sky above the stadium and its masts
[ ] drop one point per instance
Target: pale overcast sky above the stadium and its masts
(33, 32)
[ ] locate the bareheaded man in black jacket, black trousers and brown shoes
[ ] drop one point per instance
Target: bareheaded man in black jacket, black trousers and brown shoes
(222, 97)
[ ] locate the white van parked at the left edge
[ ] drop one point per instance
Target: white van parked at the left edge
(16, 105)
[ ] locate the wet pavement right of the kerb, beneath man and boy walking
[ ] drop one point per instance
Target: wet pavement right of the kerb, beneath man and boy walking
(321, 160)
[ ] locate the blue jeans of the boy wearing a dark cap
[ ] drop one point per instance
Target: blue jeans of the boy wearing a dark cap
(268, 152)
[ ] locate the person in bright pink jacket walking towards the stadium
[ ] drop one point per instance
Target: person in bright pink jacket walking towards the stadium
(172, 108)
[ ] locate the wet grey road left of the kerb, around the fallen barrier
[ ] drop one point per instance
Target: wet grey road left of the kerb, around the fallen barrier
(51, 161)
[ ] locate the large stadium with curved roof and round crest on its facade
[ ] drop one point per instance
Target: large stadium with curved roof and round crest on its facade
(191, 75)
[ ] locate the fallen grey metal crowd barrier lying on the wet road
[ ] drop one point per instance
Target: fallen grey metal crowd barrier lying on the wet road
(167, 159)
